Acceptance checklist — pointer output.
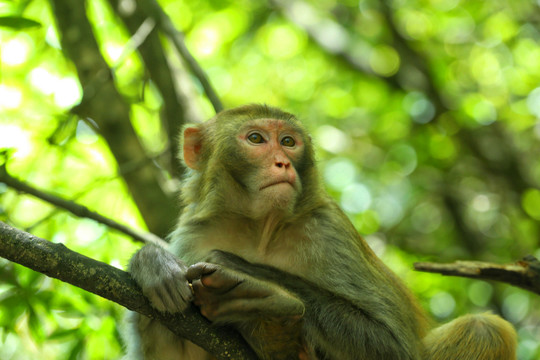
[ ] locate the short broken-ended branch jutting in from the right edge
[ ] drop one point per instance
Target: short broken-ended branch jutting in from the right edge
(524, 273)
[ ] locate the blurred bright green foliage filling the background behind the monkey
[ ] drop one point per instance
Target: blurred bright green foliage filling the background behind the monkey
(426, 116)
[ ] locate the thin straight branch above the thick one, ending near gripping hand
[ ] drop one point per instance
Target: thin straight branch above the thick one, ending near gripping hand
(78, 210)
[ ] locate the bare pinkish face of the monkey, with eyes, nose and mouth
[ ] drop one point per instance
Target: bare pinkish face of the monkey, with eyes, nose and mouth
(271, 148)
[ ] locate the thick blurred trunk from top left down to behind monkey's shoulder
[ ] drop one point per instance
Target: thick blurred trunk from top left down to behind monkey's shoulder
(105, 105)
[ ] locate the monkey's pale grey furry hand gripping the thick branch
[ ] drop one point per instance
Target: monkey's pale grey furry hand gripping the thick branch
(162, 278)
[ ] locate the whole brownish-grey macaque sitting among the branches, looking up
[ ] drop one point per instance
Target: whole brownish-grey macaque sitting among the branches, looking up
(267, 251)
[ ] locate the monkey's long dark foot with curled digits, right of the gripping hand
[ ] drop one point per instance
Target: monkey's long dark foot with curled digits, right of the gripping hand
(227, 296)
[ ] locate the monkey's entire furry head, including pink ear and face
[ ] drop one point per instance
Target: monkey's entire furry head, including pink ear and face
(254, 160)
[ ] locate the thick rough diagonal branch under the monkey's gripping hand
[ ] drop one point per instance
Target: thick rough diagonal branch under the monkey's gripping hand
(57, 261)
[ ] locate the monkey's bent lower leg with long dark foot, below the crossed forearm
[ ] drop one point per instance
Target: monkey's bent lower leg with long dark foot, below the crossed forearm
(268, 316)
